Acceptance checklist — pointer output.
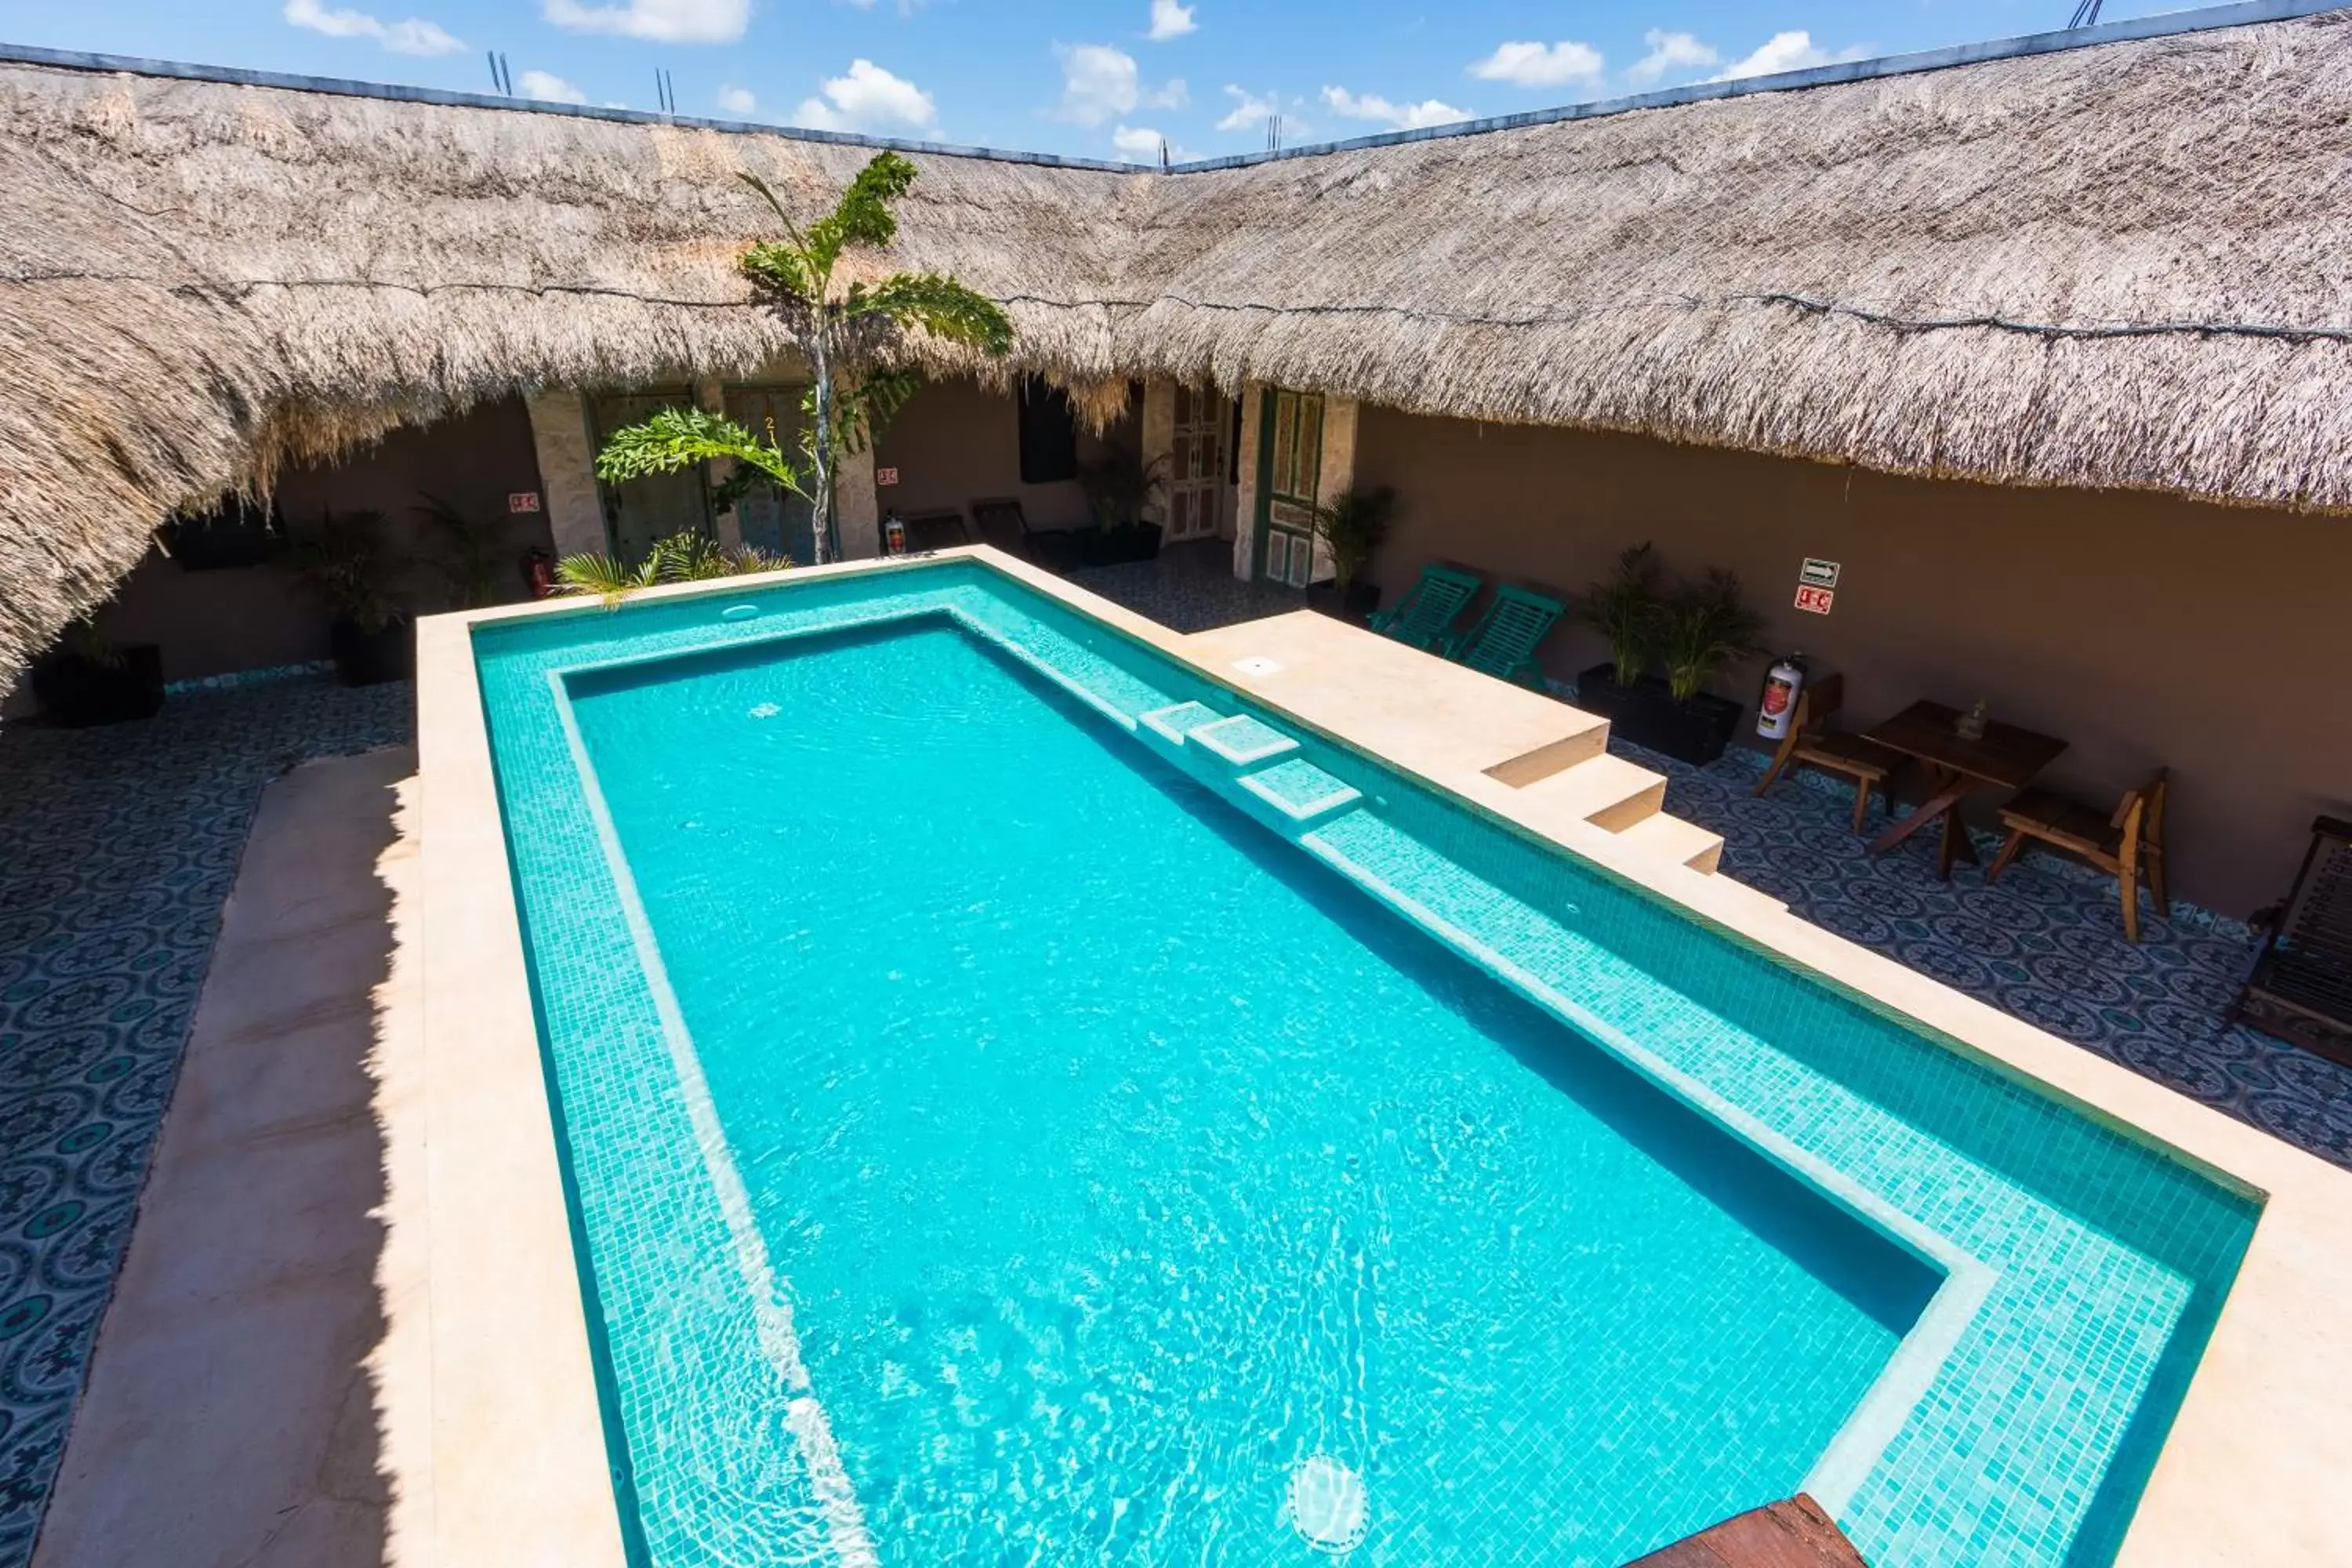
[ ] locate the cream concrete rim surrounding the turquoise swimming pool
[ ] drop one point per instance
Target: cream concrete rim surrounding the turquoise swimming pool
(516, 1466)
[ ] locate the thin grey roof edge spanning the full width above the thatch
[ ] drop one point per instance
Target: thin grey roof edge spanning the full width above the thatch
(2167, 25)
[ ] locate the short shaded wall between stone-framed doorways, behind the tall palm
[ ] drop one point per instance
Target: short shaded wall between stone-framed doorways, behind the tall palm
(958, 443)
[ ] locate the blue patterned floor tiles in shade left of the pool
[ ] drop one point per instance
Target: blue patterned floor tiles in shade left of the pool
(116, 855)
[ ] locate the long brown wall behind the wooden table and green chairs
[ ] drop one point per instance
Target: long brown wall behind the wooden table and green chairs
(2141, 629)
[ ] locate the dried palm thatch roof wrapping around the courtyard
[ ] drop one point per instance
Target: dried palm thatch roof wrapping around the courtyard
(2113, 267)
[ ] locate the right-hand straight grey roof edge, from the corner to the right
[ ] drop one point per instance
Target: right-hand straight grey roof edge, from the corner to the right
(2165, 25)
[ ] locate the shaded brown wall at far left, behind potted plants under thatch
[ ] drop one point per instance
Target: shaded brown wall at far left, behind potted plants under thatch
(262, 617)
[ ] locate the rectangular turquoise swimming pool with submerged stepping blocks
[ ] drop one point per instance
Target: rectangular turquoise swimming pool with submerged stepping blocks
(1027, 1104)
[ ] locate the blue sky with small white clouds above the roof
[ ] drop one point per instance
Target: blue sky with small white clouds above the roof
(1100, 79)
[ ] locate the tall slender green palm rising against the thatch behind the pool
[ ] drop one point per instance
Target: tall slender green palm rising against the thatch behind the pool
(843, 330)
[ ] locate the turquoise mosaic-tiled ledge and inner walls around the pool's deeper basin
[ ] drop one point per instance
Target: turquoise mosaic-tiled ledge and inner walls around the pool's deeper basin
(2106, 1259)
